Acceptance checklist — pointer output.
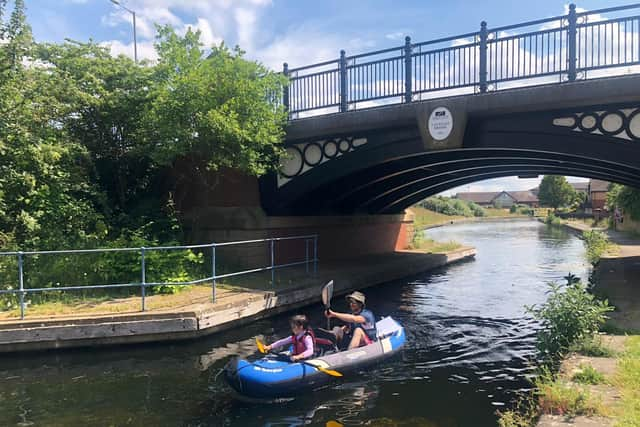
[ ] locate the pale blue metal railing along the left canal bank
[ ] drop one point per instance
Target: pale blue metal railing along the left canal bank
(310, 262)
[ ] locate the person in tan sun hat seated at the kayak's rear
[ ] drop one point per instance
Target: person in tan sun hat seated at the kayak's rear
(361, 321)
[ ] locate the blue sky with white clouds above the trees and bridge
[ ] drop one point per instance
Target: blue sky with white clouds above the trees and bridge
(292, 31)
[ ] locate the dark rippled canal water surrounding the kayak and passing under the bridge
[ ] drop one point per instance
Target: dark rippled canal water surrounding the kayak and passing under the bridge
(469, 352)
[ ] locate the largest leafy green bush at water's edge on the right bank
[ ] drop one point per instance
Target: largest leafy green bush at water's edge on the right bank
(569, 315)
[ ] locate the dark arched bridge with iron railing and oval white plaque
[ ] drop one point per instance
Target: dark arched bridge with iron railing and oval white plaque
(376, 132)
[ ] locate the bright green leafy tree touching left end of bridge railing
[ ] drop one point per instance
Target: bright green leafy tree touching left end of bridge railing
(216, 109)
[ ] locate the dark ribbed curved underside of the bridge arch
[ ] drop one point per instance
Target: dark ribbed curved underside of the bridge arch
(397, 184)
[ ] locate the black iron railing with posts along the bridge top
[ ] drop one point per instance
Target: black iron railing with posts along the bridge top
(562, 48)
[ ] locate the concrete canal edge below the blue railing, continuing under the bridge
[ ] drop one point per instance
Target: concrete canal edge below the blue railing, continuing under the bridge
(204, 319)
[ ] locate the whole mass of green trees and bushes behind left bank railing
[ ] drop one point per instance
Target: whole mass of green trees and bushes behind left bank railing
(97, 151)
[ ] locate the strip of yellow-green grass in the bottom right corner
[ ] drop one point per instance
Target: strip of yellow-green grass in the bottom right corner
(628, 382)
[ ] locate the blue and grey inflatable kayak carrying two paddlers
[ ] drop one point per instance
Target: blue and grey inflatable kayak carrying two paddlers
(272, 377)
